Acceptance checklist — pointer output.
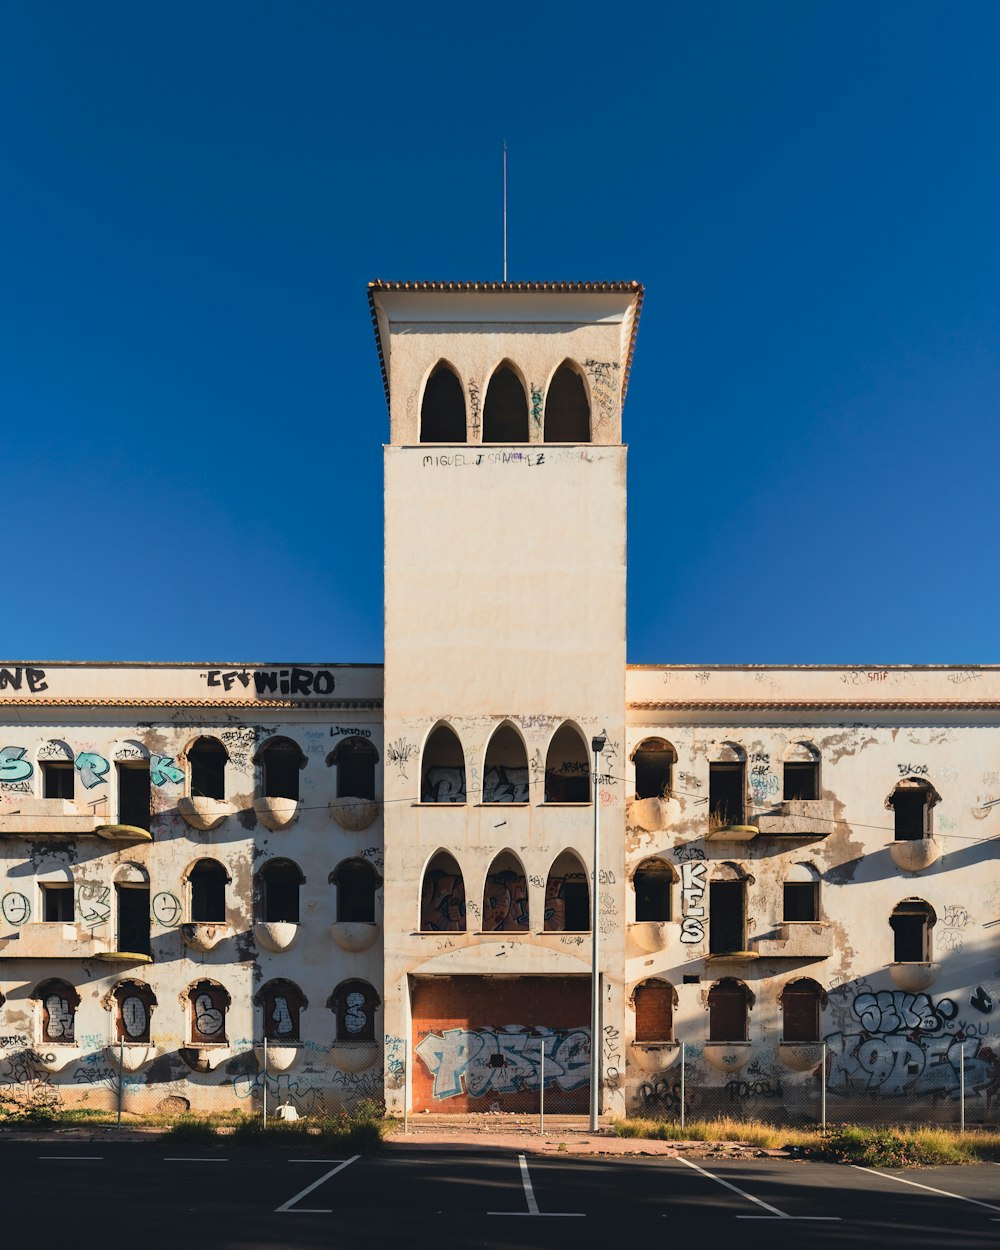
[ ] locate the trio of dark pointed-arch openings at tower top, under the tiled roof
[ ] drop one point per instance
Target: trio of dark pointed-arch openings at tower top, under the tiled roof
(564, 411)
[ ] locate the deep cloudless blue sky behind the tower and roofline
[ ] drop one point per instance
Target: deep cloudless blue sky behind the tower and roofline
(196, 196)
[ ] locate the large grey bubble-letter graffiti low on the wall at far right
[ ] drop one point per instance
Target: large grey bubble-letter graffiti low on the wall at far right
(908, 1044)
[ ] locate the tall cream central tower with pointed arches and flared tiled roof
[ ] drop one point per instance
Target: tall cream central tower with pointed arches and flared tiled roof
(504, 659)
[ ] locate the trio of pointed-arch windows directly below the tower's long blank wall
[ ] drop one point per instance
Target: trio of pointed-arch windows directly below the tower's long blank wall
(506, 773)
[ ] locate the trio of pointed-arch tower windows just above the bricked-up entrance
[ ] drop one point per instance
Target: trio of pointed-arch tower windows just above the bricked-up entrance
(506, 909)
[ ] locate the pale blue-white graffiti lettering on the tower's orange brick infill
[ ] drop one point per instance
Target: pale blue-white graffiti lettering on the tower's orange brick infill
(503, 1061)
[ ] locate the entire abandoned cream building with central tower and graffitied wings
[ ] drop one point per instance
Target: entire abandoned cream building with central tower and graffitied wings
(343, 882)
